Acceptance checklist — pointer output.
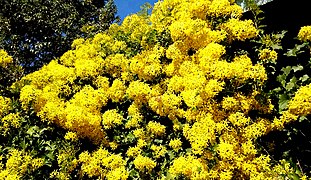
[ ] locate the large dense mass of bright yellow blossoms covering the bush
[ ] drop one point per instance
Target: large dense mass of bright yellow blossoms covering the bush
(161, 96)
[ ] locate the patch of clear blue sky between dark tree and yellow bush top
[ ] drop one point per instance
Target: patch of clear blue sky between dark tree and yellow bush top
(126, 7)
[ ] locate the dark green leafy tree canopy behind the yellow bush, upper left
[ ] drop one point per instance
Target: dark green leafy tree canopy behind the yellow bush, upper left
(37, 31)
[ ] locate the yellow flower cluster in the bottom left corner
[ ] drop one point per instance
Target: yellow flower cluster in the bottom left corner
(17, 164)
